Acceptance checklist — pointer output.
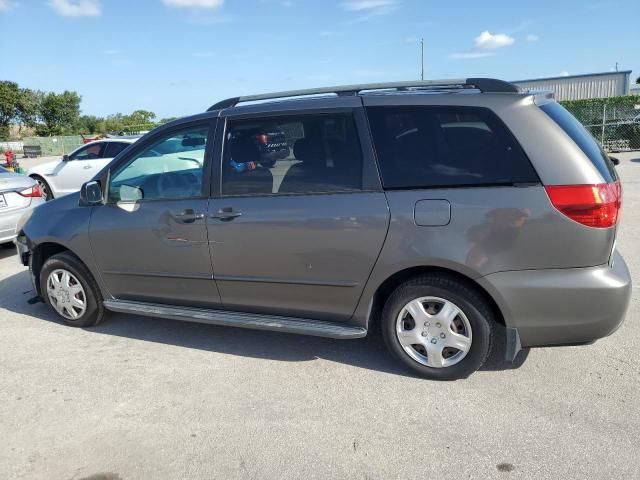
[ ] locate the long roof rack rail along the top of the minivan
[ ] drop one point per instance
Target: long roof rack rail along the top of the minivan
(485, 85)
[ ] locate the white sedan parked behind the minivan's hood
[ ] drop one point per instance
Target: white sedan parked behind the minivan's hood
(67, 175)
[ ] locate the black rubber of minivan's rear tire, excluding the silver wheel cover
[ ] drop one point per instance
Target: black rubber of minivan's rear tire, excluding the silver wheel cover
(479, 314)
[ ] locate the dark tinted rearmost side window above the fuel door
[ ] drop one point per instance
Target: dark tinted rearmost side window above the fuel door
(437, 147)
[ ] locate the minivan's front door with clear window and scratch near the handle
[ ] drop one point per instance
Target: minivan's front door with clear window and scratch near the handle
(150, 238)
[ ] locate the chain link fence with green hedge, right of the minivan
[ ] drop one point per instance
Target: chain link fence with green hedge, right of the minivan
(614, 122)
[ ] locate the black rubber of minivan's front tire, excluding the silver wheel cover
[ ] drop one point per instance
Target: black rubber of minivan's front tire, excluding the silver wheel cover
(94, 312)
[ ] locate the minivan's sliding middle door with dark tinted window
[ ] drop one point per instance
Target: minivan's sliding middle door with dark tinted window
(299, 238)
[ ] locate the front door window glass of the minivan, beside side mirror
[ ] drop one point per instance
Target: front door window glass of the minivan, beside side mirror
(170, 168)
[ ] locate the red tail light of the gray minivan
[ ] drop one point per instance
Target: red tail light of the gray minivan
(591, 205)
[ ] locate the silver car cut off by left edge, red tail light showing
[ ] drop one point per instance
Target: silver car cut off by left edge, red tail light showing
(18, 194)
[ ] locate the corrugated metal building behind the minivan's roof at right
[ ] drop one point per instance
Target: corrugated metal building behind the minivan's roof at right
(578, 87)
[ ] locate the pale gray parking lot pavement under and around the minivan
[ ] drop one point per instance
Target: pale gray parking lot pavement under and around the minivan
(138, 398)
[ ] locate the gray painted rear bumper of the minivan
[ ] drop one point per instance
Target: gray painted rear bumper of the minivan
(563, 306)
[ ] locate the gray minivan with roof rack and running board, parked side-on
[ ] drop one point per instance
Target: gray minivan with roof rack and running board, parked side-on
(463, 218)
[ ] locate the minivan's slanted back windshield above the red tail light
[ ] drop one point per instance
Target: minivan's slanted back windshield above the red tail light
(582, 138)
